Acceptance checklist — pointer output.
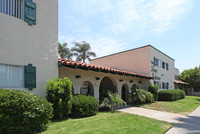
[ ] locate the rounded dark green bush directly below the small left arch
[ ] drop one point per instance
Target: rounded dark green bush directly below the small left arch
(84, 106)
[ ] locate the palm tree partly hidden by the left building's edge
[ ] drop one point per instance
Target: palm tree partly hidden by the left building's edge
(64, 52)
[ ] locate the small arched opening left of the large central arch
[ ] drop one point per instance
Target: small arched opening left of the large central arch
(87, 88)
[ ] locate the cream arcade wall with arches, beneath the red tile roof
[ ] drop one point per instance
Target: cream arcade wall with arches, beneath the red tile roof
(91, 76)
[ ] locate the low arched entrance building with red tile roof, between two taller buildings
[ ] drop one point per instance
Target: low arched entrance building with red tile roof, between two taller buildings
(95, 80)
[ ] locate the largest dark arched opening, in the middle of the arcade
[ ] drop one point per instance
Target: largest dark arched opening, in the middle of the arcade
(107, 83)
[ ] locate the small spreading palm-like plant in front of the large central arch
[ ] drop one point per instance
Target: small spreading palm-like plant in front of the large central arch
(112, 101)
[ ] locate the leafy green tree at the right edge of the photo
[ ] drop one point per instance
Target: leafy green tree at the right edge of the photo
(192, 76)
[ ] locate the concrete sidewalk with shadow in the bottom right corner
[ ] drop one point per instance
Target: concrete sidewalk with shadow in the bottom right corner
(190, 125)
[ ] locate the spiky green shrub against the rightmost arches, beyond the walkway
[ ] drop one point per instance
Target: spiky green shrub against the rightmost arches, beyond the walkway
(141, 96)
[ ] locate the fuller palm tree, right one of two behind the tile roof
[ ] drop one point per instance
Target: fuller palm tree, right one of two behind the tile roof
(82, 51)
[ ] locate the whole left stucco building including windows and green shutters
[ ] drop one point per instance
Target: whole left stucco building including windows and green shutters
(28, 35)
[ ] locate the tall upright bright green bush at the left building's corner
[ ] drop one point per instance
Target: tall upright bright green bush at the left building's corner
(59, 92)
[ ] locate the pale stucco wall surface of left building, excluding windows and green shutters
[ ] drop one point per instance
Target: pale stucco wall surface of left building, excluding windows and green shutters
(21, 44)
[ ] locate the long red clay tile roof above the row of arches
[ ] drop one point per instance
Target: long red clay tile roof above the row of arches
(87, 66)
